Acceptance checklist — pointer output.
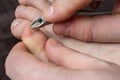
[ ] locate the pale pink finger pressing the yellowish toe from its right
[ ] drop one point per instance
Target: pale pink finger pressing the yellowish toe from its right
(69, 58)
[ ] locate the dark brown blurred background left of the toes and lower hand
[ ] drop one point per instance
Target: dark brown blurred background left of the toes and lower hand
(7, 41)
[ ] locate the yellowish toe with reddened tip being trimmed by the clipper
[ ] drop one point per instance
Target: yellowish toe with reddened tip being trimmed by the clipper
(35, 40)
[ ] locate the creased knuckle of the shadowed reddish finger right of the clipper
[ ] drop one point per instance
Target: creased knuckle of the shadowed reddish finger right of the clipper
(83, 32)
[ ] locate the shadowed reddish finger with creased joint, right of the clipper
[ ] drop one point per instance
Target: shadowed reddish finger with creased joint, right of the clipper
(96, 29)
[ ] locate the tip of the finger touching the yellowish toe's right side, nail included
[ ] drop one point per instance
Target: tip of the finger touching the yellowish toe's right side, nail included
(55, 51)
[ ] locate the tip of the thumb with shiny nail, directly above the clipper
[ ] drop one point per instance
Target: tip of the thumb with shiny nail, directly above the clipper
(53, 13)
